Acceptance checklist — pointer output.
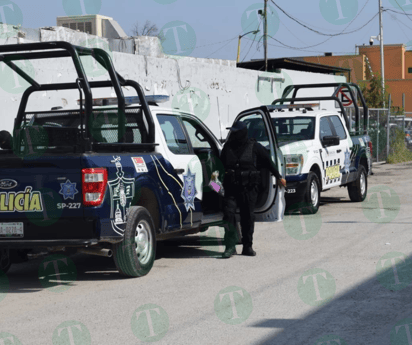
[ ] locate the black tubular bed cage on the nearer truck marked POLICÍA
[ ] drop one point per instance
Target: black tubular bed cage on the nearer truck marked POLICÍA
(47, 50)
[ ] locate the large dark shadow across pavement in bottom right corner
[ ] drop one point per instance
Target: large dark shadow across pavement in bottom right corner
(367, 314)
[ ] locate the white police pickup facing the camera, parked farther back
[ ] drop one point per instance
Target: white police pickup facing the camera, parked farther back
(319, 150)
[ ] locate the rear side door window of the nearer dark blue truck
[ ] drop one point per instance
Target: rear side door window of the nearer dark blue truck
(174, 135)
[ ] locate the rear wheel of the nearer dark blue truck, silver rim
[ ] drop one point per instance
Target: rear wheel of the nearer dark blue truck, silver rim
(135, 256)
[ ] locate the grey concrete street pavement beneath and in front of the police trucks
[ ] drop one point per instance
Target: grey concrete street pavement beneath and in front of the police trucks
(343, 276)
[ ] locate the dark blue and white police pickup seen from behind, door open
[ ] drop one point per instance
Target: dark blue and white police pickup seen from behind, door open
(115, 175)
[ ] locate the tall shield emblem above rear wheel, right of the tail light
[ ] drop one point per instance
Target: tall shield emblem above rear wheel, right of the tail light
(121, 196)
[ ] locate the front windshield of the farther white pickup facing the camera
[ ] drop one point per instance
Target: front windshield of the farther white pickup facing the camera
(291, 129)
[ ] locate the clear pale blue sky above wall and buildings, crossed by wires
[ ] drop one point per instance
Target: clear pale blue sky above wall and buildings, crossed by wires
(210, 29)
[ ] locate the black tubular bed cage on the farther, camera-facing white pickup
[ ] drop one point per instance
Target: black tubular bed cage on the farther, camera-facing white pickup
(334, 97)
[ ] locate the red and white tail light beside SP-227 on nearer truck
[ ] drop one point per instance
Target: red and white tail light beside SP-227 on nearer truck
(94, 186)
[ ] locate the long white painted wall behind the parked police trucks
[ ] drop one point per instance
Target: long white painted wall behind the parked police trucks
(229, 89)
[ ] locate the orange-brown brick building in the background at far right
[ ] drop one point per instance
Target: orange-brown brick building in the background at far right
(398, 68)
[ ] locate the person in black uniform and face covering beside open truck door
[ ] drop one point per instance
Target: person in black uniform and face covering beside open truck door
(242, 158)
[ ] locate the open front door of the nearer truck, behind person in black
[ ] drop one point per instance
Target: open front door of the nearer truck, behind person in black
(270, 205)
